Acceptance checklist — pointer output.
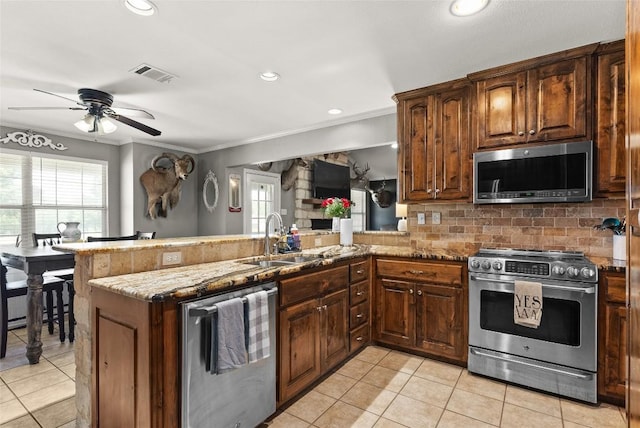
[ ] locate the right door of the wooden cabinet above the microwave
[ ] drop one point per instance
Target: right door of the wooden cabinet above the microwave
(559, 91)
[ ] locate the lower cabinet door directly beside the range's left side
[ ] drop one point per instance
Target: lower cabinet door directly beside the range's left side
(439, 320)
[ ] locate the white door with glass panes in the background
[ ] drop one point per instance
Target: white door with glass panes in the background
(261, 198)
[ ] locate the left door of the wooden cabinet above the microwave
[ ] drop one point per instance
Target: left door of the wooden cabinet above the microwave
(501, 111)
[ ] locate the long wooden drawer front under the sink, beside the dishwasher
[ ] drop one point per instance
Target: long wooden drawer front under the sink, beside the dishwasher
(304, 287)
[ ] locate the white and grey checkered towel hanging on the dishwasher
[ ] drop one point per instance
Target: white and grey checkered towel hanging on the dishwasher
(258, 340)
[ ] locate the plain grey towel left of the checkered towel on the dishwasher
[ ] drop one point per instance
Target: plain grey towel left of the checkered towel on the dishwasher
(232, 352)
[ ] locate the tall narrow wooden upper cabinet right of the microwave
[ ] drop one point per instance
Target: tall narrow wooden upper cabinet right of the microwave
(610, 119)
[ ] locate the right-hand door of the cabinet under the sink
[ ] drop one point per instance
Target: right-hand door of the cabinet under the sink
(335, 328)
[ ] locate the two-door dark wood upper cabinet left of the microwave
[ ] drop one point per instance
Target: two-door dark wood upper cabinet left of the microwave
(434, 135)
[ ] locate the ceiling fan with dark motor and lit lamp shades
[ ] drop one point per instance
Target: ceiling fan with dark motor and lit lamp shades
(99, 111)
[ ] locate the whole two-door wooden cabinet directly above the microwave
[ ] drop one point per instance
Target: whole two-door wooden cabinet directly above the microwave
(543, 99)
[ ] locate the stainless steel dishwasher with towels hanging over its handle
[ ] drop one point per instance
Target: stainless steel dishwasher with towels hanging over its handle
(241, 398)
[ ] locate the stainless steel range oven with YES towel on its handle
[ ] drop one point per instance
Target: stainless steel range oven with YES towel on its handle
(560, 355)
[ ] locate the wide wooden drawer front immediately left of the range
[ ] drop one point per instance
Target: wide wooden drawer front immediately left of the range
(435, 273)
